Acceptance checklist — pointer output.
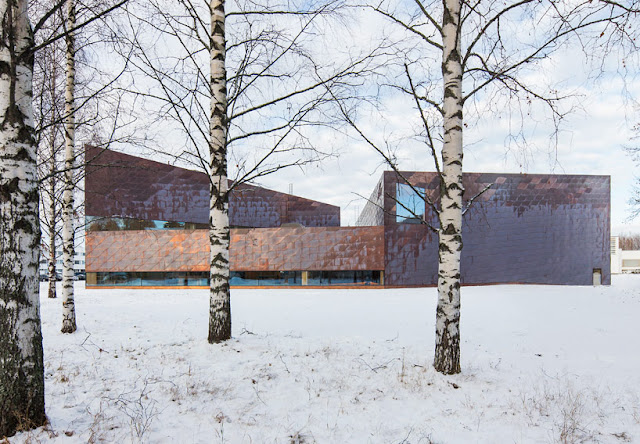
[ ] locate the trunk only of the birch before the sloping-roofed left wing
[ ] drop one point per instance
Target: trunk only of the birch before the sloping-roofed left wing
(219, 302)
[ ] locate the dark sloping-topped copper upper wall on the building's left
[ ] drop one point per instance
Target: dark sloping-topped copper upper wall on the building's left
(120, 185)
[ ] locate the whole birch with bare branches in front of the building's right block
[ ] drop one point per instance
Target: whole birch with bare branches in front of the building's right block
(488, 53)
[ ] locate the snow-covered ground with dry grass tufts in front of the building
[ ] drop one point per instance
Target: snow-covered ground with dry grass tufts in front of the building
(540, 364)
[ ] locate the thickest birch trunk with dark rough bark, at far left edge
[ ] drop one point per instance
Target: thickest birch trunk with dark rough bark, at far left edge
(21, 357)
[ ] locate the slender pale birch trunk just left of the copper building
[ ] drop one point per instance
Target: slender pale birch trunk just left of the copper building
(68, 238)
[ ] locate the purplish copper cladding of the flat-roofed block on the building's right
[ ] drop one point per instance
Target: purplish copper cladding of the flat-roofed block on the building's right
(527, 228)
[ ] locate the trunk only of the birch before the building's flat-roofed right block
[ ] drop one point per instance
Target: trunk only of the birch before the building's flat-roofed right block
(447, 353)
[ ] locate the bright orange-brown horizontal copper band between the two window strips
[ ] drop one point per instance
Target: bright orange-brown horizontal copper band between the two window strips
(259, 249)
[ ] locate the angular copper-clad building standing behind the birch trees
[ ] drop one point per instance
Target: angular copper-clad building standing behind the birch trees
(146, 226)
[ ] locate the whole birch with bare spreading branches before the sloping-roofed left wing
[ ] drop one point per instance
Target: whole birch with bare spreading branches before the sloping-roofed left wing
(253, 103)
